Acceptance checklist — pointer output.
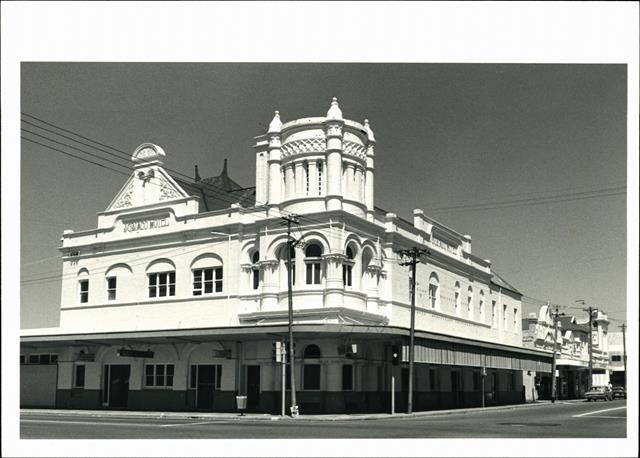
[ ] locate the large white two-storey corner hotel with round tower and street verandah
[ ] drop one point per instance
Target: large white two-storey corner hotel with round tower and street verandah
(192, 273)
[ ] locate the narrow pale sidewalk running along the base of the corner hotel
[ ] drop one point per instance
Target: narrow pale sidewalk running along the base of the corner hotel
(213, 416)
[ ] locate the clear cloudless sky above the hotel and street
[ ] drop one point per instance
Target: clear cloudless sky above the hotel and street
(528, 159)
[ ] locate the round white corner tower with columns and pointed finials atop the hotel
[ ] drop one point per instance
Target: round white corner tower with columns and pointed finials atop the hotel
(316, 164)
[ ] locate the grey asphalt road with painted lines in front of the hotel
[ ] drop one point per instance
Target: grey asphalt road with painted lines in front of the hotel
(559, 420)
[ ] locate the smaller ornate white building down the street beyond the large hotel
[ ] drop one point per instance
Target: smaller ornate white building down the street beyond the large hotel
(572, 351)
